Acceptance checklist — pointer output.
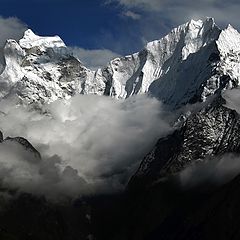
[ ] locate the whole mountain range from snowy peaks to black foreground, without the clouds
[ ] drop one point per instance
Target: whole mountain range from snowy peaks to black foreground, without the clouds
(194, 71)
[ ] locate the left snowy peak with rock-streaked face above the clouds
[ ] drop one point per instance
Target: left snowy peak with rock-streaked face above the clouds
(40, 69)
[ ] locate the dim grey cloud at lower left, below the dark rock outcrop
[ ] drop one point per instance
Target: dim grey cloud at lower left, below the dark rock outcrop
(23, 171)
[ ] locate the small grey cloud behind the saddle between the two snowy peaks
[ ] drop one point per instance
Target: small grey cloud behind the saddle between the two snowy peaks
(94, 58)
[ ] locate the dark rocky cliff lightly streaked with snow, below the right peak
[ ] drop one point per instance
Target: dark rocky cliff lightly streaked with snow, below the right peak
(212, 131)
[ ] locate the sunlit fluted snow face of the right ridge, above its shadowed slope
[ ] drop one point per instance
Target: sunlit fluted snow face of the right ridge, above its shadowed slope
(135, 73)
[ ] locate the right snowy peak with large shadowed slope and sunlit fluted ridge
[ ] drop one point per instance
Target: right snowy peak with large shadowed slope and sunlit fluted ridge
(179, 68)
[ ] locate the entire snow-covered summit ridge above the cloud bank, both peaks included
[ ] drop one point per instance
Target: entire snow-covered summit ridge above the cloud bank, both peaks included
(184, 66)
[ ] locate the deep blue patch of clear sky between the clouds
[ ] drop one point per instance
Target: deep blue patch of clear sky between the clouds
(88, 23)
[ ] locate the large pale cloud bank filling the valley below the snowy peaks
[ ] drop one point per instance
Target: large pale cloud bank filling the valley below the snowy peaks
(89, 144)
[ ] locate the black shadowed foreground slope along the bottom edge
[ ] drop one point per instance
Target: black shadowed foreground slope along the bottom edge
(163, 211)
